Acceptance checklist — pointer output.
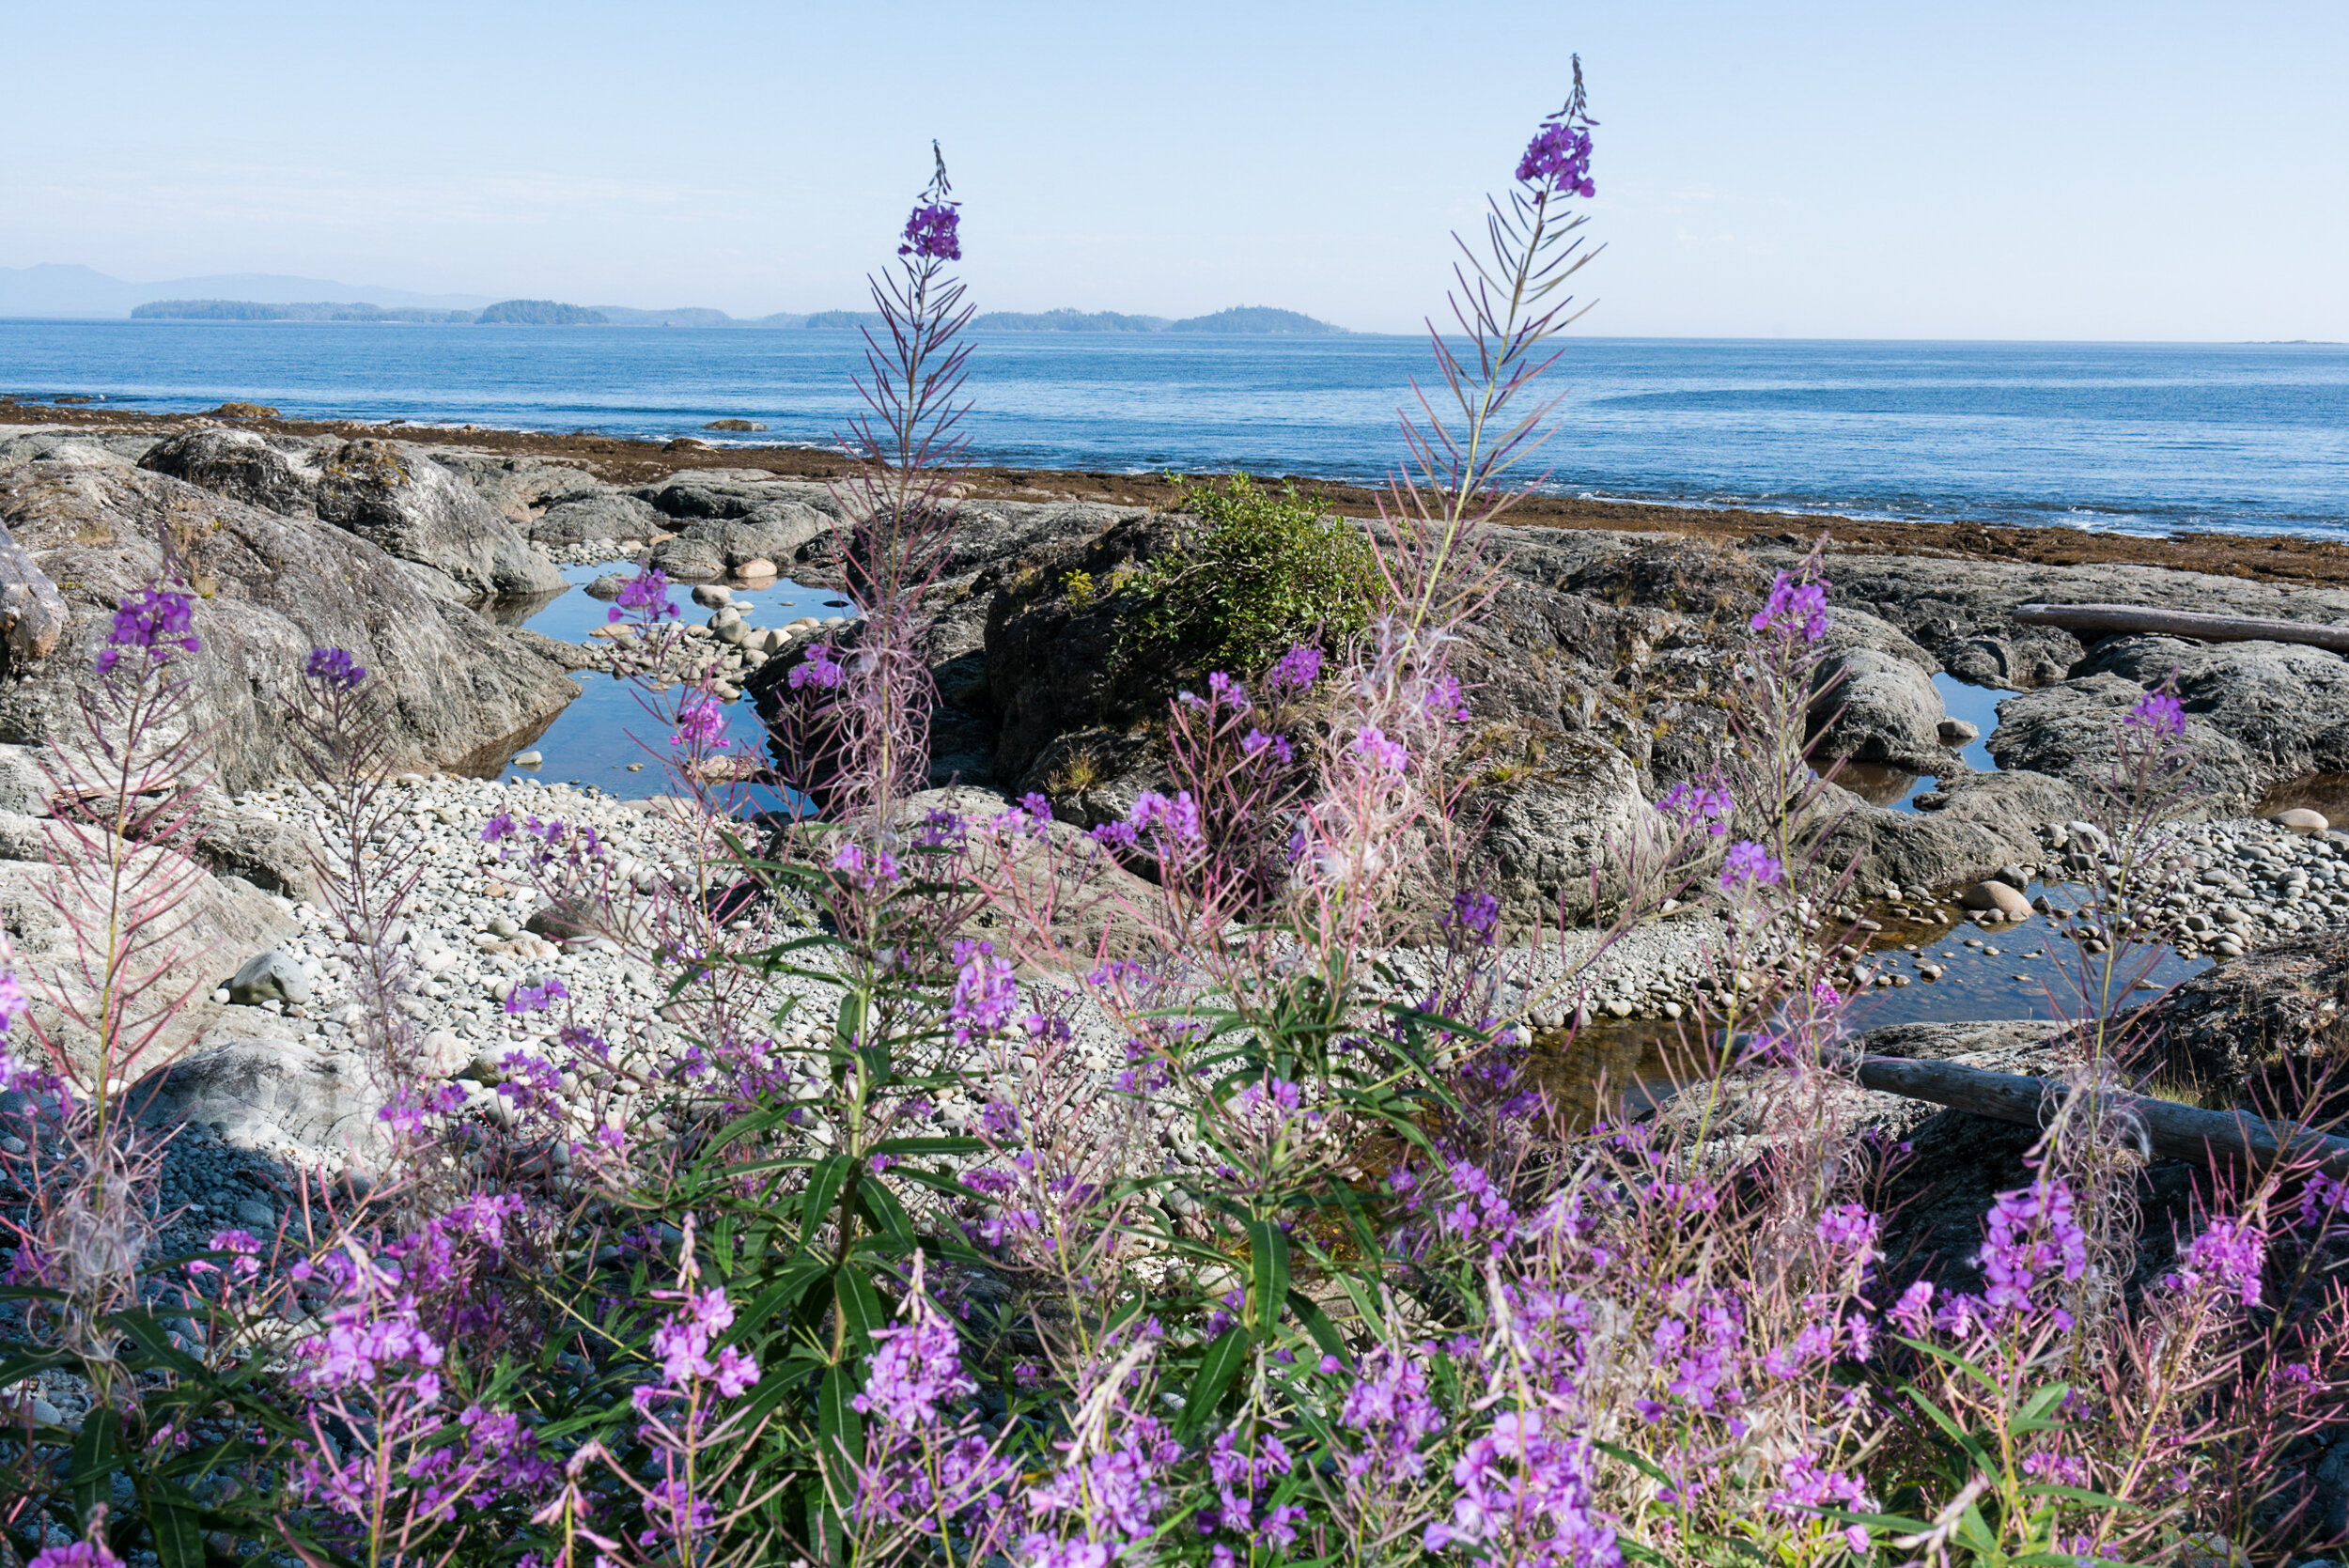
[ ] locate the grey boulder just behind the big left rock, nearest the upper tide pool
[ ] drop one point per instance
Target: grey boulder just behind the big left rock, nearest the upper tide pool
(419, 511)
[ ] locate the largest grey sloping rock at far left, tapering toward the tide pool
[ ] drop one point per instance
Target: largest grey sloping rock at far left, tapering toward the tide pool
(278, 588)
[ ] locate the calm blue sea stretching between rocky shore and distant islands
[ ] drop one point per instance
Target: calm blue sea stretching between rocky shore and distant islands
(2096, 435)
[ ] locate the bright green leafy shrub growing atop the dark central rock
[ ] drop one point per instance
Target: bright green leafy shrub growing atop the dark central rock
(1265, 572)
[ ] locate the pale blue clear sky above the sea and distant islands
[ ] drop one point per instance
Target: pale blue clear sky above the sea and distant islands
(1993, 170)
